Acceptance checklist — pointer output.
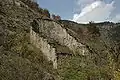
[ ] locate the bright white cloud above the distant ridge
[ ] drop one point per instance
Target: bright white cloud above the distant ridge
(95, 10)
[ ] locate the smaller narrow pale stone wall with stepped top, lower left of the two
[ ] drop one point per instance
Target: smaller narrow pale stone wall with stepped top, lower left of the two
(43, 45)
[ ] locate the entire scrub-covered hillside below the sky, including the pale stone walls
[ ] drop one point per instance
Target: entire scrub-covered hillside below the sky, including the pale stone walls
(35, 47)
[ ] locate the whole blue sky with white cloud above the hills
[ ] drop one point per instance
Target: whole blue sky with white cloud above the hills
(84, 11)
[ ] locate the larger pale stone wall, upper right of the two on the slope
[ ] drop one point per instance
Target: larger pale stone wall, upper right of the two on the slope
(54, 32)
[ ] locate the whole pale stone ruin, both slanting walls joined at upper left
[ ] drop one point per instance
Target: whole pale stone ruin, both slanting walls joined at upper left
(53, 32)
